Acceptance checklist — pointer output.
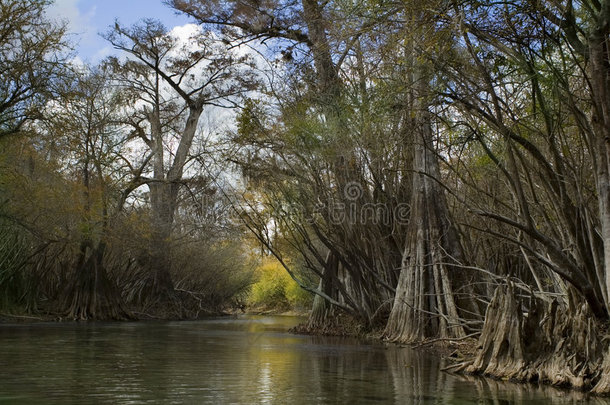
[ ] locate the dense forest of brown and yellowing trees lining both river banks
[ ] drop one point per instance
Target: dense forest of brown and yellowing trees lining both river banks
(430, 172)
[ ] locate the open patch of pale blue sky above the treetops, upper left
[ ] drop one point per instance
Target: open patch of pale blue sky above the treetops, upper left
(87, 18)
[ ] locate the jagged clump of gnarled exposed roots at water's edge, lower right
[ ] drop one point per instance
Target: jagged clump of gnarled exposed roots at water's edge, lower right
(556, 344)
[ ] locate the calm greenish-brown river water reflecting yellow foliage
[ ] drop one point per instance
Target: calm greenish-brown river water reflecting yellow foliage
(245, 360)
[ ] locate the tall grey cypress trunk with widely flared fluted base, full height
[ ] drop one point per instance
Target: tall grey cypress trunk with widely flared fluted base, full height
(426, 304)
